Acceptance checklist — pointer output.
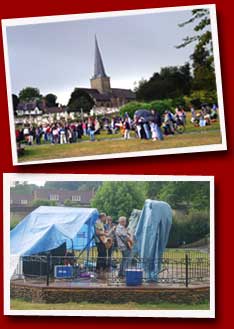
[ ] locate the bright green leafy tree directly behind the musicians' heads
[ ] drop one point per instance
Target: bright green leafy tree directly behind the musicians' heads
(119, 198)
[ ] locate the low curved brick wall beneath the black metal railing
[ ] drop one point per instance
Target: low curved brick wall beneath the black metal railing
(114, 295)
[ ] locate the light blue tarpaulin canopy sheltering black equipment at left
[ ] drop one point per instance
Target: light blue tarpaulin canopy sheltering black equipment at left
(46, 228)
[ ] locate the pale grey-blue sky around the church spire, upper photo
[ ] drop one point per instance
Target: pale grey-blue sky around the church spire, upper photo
(57, 57)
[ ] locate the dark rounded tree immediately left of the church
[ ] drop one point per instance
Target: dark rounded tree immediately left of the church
(80, 99)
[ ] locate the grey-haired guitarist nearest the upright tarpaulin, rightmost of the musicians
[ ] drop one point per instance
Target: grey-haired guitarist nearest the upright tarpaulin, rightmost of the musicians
(123, 238)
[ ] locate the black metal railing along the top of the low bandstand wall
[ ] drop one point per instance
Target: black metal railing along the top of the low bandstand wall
(173, 268)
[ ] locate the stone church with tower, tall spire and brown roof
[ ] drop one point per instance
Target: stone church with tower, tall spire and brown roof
(101, 92)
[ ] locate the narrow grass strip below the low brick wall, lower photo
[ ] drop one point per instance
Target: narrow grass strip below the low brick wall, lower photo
(17, 304)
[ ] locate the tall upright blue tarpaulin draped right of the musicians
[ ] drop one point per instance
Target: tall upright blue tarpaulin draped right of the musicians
(151, 236)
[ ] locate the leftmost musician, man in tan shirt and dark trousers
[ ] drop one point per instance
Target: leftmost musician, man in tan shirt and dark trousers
(101, 248)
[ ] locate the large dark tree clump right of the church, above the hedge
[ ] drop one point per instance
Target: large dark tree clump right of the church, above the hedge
(171, 82)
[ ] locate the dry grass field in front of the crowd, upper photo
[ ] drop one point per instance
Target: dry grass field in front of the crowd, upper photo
(107, 144)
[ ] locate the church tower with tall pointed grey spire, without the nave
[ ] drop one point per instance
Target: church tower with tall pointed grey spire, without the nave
(100, 80)
